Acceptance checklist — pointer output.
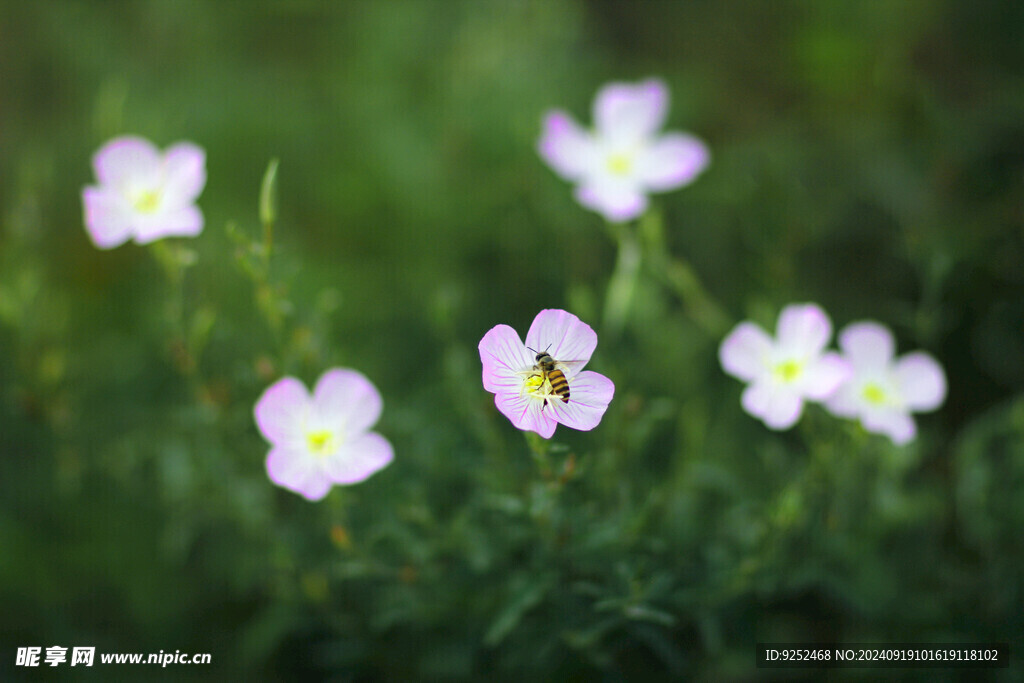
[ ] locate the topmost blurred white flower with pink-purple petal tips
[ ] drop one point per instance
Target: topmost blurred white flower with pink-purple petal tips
(616, 165)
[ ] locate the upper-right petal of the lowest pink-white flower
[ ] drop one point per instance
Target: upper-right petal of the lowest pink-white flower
(347, 402)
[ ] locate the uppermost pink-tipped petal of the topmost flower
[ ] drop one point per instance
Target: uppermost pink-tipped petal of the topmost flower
(627, 111)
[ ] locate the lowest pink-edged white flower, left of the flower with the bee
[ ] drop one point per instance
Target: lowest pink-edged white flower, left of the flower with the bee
(324, 440)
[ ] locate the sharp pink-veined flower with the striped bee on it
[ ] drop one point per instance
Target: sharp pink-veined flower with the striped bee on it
(529, 396)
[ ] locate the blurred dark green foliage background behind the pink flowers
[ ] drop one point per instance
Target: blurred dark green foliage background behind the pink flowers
(867, 156)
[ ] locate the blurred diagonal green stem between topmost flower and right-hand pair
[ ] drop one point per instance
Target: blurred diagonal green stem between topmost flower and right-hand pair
(678, 276)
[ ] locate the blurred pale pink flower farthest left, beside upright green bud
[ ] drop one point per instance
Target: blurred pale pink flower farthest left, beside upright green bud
(144, 195)
